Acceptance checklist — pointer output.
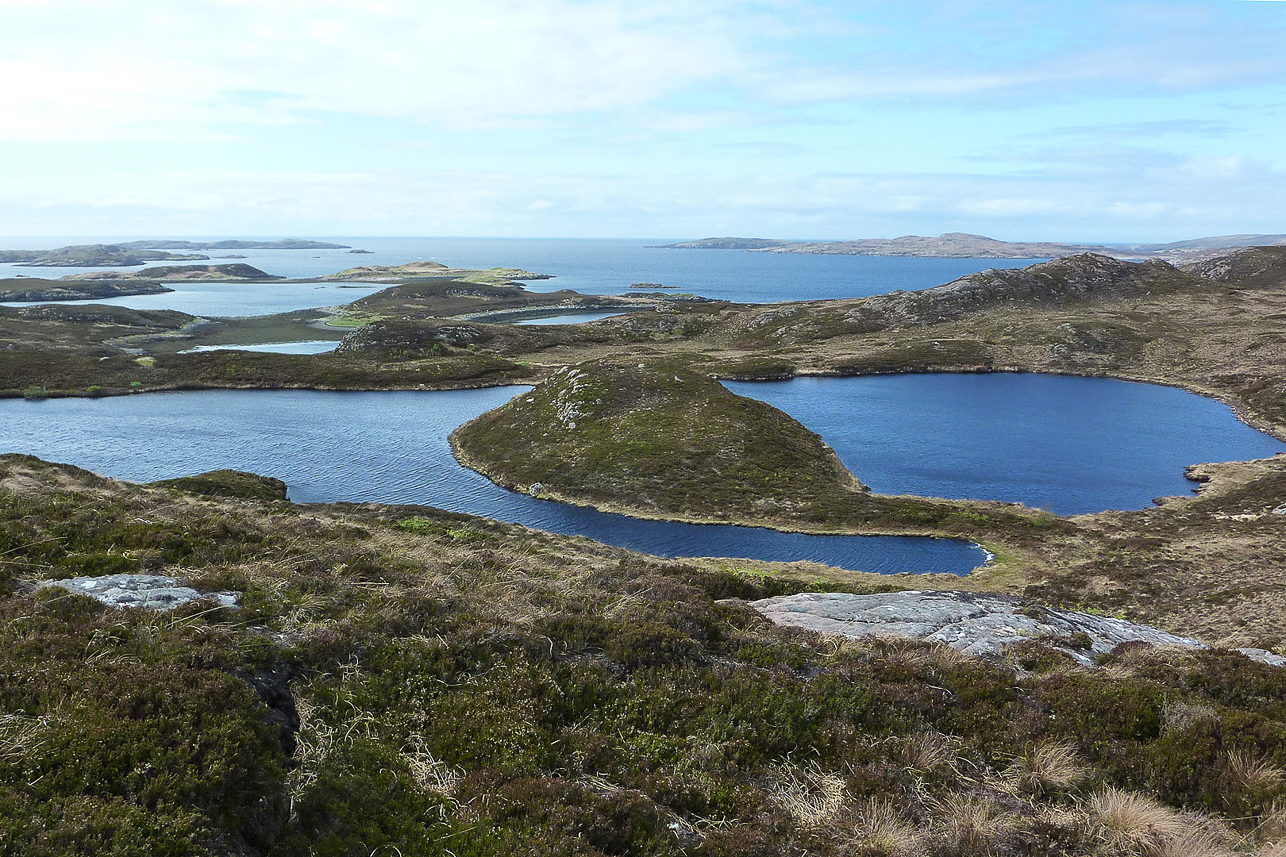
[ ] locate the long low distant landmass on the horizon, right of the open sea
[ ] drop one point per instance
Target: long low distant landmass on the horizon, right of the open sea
(963, 245)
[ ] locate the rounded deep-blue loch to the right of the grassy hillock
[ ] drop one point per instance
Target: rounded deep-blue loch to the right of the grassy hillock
(1065, 445)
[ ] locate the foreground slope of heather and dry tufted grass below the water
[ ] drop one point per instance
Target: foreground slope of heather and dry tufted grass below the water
(408, 681)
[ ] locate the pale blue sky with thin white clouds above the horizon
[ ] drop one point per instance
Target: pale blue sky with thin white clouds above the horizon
(1090, 122)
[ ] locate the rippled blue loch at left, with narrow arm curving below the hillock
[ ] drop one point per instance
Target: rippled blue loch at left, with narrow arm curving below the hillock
(392, 448)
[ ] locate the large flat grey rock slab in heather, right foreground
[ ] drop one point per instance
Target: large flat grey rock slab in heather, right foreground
(973, 623)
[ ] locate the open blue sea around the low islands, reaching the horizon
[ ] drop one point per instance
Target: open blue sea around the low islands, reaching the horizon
(604, 267)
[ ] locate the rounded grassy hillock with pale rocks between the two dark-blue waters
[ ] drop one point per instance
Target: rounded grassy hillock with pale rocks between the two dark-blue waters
(662, 439)
